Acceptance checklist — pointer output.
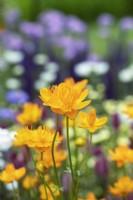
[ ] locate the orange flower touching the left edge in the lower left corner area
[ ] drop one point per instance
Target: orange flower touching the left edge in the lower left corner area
(10, 174)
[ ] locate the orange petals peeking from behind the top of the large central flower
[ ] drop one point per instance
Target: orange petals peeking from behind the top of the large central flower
(80, 84)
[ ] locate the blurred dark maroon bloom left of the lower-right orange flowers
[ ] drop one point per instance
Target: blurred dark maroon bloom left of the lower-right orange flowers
(102, 166)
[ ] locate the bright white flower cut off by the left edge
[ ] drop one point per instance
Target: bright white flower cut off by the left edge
(6, 138)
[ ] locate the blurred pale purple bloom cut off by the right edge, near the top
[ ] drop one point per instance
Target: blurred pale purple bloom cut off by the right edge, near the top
(126, 23)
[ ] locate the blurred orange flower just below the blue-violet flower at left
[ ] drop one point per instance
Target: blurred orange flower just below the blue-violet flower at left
(31, 114)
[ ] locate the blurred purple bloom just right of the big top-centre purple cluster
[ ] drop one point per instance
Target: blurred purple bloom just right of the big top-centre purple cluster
(75, 25)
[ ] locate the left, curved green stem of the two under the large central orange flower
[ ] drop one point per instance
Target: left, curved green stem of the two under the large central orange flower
(53, 158)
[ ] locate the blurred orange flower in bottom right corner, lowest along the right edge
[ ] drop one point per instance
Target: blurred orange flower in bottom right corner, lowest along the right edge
(122, 187)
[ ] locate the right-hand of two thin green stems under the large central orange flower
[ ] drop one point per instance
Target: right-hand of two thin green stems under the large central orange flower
(68, 146)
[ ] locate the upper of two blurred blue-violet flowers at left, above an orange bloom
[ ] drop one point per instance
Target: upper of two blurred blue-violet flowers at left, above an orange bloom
(17, 97)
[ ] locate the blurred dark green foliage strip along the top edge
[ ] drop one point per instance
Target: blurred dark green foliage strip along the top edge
(85, 9)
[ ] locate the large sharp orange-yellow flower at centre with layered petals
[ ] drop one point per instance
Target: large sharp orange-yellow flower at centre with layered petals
(64, 99)
